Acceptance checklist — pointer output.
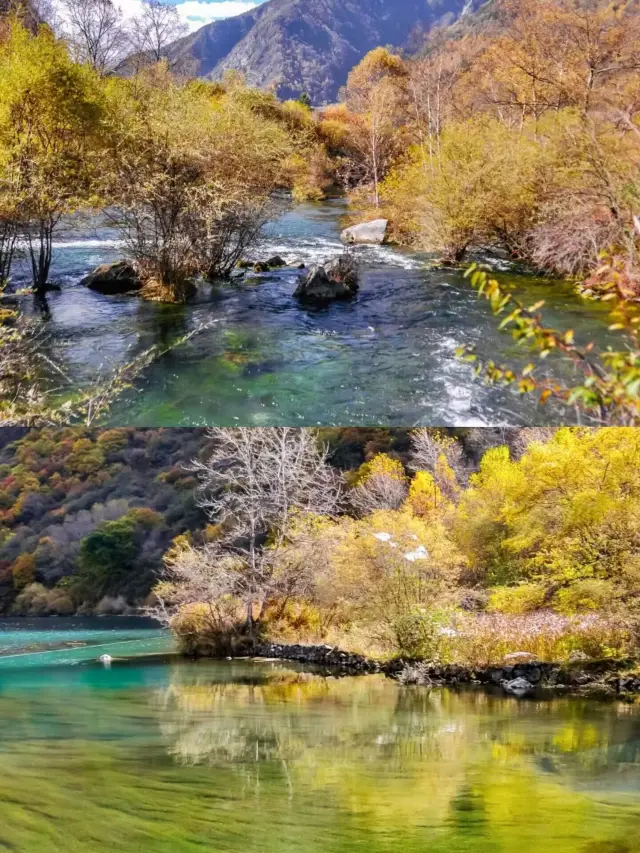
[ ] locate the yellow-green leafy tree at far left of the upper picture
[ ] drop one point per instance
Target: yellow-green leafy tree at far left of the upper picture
(50, 120)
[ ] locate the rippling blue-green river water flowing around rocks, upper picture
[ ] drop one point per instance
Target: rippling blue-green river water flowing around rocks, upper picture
(385, 358)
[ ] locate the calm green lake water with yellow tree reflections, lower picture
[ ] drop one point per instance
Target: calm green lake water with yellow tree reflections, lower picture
(162, 755)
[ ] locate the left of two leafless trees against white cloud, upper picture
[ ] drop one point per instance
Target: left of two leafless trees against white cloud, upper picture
(95, 32)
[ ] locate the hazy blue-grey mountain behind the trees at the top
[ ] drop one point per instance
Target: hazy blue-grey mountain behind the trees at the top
(296, 46)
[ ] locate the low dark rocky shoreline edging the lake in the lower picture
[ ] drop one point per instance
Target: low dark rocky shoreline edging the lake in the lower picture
(607, 678)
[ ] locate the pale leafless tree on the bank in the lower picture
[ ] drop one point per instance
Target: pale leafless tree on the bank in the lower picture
(255, 485)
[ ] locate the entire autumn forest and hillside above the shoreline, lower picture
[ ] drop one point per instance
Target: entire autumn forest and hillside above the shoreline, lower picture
(453, 546)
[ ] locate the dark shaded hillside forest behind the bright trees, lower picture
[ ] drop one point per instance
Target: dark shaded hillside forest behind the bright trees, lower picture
(86, 515)
